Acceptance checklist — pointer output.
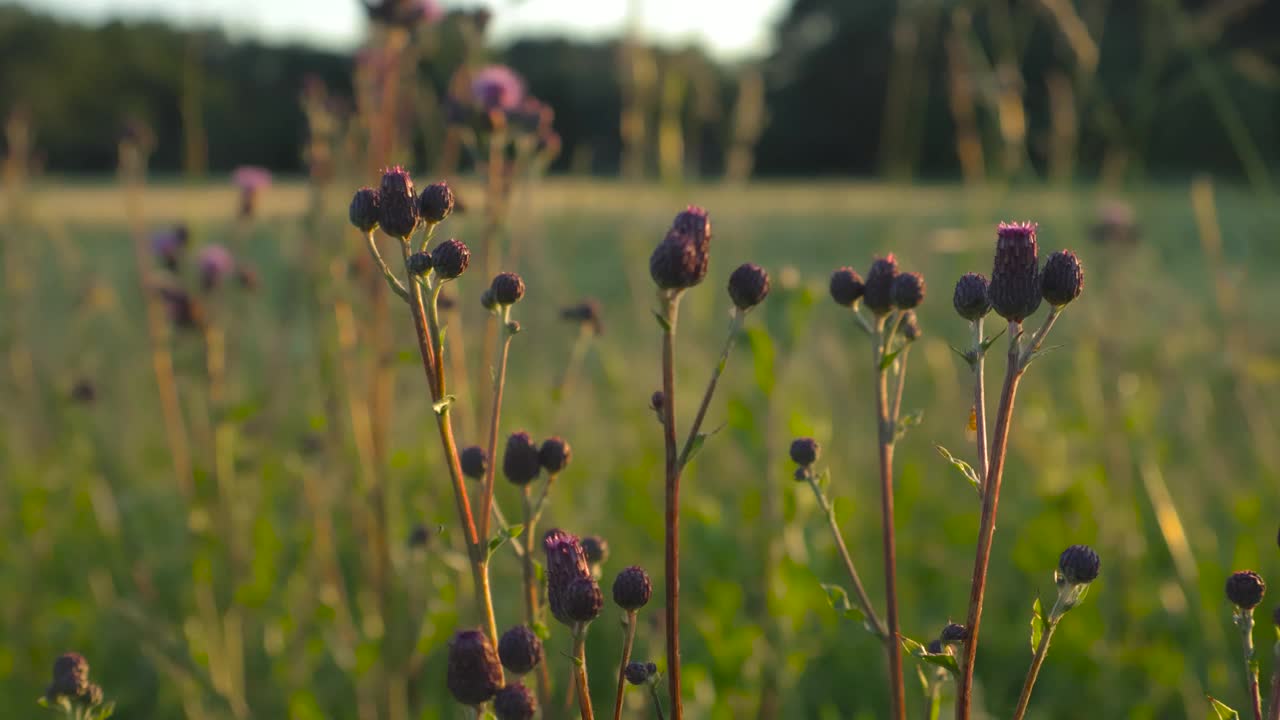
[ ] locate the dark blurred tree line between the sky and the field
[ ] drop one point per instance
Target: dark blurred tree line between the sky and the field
(985, 89)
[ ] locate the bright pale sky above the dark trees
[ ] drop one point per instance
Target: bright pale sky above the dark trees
(728, 28)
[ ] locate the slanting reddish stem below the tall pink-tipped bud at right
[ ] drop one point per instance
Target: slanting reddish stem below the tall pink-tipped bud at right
(988, 526)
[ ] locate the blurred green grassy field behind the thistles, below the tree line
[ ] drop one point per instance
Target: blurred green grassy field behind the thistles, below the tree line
(1150, 435)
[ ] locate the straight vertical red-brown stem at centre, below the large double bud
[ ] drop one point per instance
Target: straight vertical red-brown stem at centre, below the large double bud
(670, 313)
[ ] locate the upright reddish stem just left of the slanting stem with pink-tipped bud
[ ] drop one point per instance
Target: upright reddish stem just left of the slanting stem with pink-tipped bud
(885, 436)
